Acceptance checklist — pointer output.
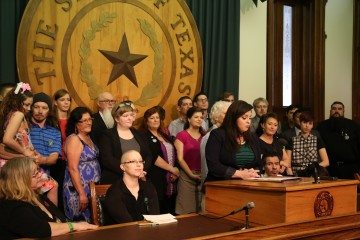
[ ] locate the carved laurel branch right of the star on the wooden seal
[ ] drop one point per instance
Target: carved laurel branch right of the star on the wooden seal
(152, 88)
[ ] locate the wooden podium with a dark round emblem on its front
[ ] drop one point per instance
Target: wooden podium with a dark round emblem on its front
(282, 202)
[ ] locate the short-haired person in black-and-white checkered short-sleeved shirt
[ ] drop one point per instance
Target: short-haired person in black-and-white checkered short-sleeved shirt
(306, 148)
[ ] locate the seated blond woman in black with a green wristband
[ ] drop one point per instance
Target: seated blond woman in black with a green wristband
(22, 213)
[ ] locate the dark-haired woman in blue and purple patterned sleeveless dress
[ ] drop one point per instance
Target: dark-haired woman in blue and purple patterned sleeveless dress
(82, 165)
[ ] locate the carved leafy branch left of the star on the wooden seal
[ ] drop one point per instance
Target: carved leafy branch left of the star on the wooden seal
(86, 71)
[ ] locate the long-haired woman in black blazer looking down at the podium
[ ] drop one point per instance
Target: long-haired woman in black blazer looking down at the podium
(232, 151)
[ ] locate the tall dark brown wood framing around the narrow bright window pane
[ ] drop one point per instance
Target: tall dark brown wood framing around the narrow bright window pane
(308, 54)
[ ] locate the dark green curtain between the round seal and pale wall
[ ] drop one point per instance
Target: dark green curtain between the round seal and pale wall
(218, 22)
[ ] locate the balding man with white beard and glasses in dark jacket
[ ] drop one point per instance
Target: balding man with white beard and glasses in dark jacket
(102, 119)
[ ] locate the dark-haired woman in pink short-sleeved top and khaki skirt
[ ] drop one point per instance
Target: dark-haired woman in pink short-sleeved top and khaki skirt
(187, 146)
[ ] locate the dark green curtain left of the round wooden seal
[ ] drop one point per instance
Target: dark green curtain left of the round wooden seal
(10, 16)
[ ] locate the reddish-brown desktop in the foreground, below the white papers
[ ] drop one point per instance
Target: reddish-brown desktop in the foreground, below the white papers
(188, 226)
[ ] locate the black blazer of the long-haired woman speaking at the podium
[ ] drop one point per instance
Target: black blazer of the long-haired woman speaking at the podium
(221, 162)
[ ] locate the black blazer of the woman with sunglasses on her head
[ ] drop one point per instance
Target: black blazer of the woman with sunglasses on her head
(110, 154)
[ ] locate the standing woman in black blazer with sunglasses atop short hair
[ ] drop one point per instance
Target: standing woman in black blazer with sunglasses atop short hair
(119, 139)
